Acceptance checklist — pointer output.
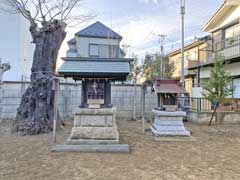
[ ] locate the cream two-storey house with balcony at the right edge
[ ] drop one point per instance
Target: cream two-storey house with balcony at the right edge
(224, 27)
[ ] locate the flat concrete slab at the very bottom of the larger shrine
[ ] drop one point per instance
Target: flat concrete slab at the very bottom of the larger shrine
(104, 148)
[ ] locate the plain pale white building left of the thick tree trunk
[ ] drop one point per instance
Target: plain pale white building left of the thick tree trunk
(15, 46)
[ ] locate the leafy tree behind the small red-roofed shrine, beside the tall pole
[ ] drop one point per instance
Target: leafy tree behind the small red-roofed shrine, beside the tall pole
(151, 68)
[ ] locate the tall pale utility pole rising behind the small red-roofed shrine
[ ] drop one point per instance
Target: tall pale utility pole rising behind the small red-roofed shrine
(182, 64)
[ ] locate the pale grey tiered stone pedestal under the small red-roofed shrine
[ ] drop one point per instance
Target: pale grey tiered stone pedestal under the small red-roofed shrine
(168, 123)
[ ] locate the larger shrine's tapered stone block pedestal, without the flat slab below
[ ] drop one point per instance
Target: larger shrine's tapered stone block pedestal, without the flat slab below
(94, 126)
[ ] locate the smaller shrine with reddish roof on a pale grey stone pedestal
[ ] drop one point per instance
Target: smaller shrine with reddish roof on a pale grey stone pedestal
(168, 119)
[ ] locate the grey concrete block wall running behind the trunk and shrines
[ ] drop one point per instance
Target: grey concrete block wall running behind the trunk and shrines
(70, 98)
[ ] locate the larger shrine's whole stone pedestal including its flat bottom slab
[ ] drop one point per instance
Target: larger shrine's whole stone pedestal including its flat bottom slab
(94, 130)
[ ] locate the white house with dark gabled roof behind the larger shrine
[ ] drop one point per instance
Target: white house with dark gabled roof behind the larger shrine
(97, 40)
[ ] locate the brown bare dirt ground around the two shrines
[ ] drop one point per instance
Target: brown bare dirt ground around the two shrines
(214, 155)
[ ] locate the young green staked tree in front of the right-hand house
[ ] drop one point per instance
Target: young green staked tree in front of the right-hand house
(218, 86)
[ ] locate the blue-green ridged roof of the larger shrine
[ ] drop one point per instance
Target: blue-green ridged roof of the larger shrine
(79, 68)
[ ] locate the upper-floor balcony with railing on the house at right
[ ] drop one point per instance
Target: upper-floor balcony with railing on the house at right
(226, 49)
